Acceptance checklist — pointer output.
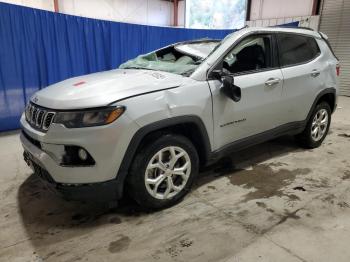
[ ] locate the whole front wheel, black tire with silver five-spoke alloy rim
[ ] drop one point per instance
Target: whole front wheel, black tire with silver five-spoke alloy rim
(163, 171)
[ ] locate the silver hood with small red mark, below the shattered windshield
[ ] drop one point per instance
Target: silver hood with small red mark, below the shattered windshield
(101, 89)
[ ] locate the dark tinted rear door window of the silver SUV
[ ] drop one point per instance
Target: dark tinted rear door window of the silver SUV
(296, 49)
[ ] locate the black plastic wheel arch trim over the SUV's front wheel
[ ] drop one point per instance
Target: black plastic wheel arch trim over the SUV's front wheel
(190, 126)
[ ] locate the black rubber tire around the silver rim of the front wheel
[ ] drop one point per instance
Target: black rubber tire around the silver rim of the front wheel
(136, 178)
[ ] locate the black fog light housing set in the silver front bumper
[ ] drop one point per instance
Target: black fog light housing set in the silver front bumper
(76, 156)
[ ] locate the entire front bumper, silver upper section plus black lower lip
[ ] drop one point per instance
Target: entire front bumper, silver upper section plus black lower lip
(106, 144)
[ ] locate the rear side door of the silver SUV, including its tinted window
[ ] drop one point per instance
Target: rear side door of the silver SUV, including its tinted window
(303, 69)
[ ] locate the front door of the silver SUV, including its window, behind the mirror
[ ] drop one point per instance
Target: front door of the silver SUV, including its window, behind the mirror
(254, 68)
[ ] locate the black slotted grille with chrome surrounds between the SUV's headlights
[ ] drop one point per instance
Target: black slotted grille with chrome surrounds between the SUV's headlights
(38, 117)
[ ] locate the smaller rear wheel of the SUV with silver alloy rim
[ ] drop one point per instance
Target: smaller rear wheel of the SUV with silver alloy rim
(317, 127)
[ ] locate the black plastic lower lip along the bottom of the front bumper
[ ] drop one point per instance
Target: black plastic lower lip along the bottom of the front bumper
(98, 192)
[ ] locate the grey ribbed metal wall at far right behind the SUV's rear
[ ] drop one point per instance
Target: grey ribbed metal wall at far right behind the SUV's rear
(335, 23)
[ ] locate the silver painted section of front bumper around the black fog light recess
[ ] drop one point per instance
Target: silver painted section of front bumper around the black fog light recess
(106, 144)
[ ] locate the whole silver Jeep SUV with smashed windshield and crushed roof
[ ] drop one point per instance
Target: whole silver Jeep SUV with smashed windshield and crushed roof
(146, 127)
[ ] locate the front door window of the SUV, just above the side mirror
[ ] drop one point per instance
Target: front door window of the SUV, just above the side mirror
(252, 53)
